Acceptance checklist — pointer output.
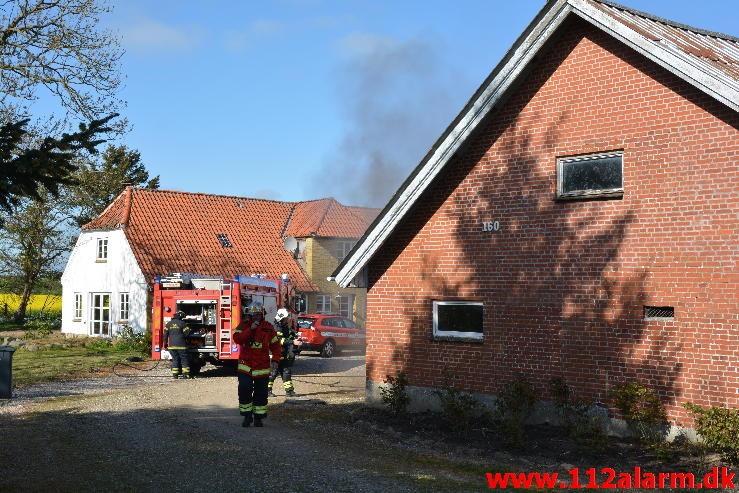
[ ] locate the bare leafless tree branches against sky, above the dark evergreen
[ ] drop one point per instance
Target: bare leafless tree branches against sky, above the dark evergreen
(57, 46)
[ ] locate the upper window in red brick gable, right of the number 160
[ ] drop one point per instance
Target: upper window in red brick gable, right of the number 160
(590, 175)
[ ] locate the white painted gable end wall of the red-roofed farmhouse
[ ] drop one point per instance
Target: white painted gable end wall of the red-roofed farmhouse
(120, 273)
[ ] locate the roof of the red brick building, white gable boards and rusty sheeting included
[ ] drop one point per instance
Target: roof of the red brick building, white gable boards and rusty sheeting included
(707, 60)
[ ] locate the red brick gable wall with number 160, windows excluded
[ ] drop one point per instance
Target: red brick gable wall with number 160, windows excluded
(564, 282)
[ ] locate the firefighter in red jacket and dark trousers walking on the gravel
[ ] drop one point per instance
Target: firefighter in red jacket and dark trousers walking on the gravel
(257, 338)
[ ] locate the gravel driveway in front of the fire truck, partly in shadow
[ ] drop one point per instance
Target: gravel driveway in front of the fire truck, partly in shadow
(143, 431)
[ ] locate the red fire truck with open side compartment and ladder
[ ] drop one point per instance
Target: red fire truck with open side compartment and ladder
(212, 308)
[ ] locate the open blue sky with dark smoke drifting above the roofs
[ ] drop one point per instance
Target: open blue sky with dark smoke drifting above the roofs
(303, 99)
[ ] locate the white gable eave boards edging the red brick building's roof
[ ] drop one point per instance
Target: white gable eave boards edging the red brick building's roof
(718, 85)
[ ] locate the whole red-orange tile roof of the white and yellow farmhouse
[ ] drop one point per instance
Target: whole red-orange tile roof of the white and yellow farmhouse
(171, 231)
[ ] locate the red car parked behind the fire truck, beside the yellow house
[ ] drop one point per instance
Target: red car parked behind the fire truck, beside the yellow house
(327, 333)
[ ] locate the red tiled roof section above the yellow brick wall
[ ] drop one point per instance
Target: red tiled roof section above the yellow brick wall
(329, 218)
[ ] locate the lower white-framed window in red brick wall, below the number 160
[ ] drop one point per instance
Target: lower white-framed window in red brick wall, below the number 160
(458, 319)
